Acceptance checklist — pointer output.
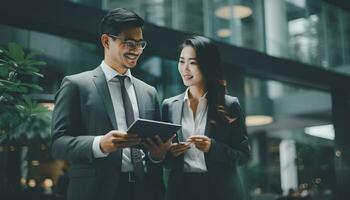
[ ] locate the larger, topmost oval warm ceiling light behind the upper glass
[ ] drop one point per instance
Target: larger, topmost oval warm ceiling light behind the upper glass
(238, 11)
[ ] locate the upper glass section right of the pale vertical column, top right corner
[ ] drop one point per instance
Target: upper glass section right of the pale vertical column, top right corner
(319, 34)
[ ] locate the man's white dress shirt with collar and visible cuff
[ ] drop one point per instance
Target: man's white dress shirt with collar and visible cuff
(115, 91)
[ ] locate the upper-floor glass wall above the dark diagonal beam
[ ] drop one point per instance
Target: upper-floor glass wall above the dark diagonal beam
(308, 31)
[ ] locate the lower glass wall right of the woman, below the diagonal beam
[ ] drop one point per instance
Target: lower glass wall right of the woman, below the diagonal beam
(294, 151)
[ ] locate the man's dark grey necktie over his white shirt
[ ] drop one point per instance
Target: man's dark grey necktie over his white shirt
(136, 155)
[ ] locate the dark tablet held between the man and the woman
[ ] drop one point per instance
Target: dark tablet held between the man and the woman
(149, 128)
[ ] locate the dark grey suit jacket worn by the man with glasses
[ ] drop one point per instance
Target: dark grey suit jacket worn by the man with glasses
(84, 110)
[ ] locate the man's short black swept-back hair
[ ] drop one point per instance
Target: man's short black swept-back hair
(116, 20)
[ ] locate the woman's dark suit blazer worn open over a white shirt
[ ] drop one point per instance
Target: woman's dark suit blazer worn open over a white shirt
(229, 148)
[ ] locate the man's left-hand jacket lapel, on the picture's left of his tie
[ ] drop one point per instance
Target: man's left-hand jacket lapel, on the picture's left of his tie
(102, 88)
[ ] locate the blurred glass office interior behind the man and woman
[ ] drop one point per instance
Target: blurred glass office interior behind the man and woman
(288, 61)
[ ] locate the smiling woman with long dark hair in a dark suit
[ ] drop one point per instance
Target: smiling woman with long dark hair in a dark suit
(213, 139)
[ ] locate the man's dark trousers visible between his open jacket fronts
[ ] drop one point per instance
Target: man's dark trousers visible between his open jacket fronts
(130, 189)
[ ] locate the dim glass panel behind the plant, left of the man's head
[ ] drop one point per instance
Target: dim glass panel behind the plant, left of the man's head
(63, 56)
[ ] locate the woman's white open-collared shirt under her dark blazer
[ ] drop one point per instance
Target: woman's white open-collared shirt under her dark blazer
(194, 160)
